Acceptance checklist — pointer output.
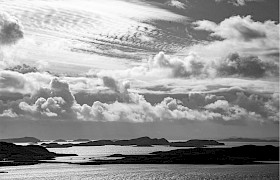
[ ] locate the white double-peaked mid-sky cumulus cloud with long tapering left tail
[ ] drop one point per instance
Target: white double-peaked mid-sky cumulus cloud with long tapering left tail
(162, 66)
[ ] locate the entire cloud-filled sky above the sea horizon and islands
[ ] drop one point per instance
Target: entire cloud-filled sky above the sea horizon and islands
(177, 69)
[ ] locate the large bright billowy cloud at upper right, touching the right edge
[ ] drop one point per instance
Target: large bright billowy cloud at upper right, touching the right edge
(242, 35)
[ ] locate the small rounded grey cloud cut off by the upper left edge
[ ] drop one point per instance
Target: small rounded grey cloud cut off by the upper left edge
(10, 29)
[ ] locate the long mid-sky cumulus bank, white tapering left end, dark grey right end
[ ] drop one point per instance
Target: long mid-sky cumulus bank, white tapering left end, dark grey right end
(193, 66)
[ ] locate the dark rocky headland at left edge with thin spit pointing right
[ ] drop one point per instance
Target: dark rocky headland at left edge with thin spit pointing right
(13, 155)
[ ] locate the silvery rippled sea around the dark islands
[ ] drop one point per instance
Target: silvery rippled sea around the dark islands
(61, 170)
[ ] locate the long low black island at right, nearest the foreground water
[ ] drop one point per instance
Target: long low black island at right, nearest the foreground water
(247, 154)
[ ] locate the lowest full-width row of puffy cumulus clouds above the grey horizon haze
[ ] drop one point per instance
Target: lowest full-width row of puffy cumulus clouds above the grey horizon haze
(57, 101)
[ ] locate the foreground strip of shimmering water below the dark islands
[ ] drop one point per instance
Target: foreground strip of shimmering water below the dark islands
(137, 171)
